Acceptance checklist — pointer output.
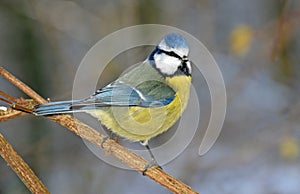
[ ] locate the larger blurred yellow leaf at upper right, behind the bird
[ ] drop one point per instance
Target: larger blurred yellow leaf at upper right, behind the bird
(240, 39)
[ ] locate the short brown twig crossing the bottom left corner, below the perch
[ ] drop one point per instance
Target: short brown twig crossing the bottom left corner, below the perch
(20, 167)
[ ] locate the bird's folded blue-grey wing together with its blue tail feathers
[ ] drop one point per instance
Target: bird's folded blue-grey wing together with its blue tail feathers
(147, 94)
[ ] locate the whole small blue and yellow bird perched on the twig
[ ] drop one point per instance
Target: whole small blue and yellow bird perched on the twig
(143, 102)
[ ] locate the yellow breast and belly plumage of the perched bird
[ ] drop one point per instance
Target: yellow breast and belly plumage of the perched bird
(141, 124)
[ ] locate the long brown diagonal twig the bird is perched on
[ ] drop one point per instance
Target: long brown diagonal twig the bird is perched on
(110, 146)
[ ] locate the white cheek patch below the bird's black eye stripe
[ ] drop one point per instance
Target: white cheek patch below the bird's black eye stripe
(166, 64)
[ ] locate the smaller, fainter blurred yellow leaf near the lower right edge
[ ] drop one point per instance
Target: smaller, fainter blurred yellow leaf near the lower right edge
(289, 148)
